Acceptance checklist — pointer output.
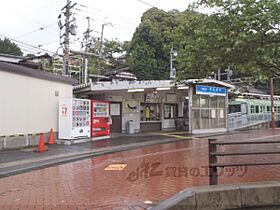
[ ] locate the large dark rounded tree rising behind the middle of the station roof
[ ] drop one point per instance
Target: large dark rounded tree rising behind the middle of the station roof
(148, 54)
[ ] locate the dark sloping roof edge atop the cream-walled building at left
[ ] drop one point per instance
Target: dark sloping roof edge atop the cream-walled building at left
(17, 69)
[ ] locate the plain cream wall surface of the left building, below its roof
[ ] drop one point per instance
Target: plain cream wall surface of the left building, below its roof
(29, 105)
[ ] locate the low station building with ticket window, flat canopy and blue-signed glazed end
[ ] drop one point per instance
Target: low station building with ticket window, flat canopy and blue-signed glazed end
(196, 106)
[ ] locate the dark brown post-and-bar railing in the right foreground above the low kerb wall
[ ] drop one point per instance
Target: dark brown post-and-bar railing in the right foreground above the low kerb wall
(214, 153)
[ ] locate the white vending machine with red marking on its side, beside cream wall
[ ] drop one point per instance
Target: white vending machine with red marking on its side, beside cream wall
(74, 118)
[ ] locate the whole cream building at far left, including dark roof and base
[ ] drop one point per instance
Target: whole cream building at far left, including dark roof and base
(29, 103)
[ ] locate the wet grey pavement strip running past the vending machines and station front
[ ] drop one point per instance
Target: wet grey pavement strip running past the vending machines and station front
(21, 160)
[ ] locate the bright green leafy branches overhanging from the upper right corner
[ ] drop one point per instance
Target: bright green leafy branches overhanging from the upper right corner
(242, 34)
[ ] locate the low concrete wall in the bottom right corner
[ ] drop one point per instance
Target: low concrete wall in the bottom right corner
(261, 195)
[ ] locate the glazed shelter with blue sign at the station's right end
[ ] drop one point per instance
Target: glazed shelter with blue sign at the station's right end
(208, 105)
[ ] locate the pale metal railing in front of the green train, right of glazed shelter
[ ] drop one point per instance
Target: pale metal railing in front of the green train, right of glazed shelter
(238, 120)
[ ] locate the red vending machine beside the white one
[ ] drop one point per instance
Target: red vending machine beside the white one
(100, 119)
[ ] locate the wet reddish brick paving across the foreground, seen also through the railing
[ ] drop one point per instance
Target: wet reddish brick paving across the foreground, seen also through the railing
(142, 178)
